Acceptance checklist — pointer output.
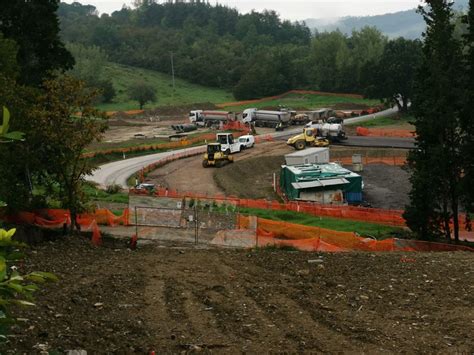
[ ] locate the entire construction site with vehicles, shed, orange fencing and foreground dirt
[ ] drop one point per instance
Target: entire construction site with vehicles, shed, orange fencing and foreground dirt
(210, 254)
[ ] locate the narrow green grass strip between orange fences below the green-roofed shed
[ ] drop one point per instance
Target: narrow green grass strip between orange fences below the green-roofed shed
(343, 225)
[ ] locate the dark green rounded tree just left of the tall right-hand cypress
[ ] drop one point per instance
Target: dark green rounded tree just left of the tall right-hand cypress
(393, 78)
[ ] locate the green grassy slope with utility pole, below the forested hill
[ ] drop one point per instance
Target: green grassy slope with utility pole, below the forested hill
(185, 93)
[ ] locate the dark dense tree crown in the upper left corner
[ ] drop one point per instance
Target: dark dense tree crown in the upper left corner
(34, 26)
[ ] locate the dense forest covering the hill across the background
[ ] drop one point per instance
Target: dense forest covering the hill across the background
(254, 55)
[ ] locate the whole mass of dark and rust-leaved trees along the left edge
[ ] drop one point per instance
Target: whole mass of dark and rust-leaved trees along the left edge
(54, 113)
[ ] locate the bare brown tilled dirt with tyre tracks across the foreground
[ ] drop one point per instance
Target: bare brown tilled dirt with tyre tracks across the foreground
(186, 300)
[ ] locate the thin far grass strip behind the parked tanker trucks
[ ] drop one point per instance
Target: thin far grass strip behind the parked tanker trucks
(306, 102)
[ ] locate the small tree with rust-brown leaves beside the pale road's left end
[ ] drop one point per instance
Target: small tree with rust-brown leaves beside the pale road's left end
(63, 110)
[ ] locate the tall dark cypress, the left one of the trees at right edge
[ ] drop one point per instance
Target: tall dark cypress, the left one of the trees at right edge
(436, 163)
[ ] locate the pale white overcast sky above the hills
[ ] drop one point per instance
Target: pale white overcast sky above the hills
(291, 9)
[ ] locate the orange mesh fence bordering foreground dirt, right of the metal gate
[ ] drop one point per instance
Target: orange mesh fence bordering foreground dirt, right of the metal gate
(307, 238)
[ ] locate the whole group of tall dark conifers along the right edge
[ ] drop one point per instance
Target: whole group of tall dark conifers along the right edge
(442, 165)
